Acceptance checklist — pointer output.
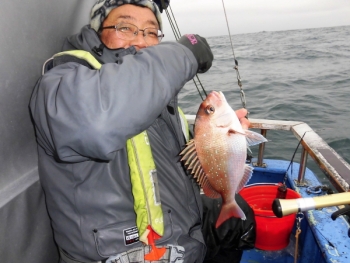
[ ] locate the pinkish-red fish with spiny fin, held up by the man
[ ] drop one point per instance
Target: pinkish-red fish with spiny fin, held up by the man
(216, 156)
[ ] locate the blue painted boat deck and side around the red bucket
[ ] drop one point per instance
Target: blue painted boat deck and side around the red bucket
(321, 238)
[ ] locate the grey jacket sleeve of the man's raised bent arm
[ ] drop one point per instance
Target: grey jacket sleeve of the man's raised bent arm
(81, 113)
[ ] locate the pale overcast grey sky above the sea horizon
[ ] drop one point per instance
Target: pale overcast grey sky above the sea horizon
(207, 18)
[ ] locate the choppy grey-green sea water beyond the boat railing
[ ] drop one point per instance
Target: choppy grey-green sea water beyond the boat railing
(296, 75)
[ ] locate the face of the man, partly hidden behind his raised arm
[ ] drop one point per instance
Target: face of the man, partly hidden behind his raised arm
(142, 17)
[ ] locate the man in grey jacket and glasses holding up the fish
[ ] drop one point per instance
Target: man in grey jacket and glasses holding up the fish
(87, 107)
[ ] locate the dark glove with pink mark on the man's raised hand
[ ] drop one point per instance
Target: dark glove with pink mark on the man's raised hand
(200, 49)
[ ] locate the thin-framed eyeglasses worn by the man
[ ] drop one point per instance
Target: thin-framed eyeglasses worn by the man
(128, 31)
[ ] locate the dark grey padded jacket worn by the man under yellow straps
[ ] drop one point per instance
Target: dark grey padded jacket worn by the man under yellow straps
(83, 118)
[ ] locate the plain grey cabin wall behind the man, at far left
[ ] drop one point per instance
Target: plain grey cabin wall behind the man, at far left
(31, 32)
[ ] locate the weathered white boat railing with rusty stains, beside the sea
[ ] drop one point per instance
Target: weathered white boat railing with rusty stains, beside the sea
(336, 169)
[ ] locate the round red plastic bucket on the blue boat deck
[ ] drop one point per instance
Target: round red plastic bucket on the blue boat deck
(272, 233)
